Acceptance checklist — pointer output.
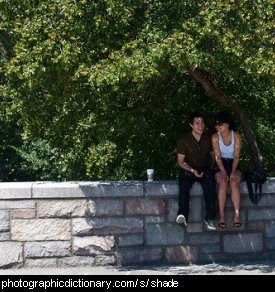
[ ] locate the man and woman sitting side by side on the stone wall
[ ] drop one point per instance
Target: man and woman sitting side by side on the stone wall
(194, 158)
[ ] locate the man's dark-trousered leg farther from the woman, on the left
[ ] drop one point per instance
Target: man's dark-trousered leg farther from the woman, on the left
(186, 181)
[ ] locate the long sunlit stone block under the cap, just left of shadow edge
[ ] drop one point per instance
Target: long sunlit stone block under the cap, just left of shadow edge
(61, 208)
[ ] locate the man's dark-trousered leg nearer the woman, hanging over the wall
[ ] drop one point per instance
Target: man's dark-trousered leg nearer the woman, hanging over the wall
(209, 192)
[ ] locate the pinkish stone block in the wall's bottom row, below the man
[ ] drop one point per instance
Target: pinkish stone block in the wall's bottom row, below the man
(181, 254)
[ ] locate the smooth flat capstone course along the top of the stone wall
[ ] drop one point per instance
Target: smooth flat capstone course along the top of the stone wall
(99, 189)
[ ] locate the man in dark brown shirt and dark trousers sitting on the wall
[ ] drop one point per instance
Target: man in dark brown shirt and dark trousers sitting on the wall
(194, 160)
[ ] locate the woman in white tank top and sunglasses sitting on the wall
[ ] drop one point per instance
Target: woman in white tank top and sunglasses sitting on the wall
(226, 145)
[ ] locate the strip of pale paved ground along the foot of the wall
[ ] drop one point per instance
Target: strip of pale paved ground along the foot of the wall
(259, 268)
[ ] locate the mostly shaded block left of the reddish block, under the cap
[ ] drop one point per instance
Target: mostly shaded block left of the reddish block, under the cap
(101, 207)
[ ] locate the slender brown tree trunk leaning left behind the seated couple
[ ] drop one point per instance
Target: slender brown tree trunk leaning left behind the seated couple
(212, 90)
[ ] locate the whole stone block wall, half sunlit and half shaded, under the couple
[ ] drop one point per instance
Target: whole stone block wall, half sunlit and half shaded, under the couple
(48, 224)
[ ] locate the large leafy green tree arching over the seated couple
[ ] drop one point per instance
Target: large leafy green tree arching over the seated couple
(105, 73)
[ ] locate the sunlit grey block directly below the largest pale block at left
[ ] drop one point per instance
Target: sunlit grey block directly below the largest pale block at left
(47, 249)
